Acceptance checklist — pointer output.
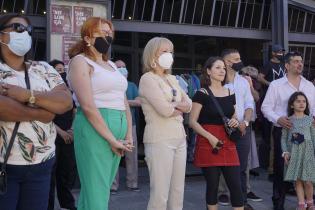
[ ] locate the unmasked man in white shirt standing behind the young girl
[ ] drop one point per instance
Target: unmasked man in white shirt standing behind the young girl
(274, 108)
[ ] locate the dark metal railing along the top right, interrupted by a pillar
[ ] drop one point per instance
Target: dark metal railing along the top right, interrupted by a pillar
(249, 14)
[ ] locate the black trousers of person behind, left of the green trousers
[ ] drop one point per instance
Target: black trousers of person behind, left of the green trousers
(63, 176)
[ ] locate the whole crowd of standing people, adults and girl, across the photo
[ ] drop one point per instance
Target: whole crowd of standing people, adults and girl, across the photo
(47, 136)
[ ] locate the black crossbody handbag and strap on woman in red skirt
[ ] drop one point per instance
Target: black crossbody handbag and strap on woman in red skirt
(234, 134)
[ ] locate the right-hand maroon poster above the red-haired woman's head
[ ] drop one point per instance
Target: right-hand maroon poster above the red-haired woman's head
(80, 14)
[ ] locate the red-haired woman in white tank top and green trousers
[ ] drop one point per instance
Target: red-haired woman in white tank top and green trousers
(103, 124)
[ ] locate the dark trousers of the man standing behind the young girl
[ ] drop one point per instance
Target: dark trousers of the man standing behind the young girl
(279, 186)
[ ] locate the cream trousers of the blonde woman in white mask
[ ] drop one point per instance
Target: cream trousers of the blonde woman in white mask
(167, 165)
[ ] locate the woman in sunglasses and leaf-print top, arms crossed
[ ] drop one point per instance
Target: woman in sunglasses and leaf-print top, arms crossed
(30, 96)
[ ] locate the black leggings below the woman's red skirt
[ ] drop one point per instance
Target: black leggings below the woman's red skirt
(231, 175)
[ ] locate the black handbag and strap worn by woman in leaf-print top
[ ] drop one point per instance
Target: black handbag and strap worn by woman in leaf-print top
(3, 172)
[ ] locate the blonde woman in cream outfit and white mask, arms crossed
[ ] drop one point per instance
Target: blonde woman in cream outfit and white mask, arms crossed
(163, 103)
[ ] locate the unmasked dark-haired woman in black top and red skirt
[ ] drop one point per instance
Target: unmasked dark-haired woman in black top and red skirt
(215, 153)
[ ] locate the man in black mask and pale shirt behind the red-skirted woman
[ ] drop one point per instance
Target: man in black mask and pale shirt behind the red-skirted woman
(244, 111)
